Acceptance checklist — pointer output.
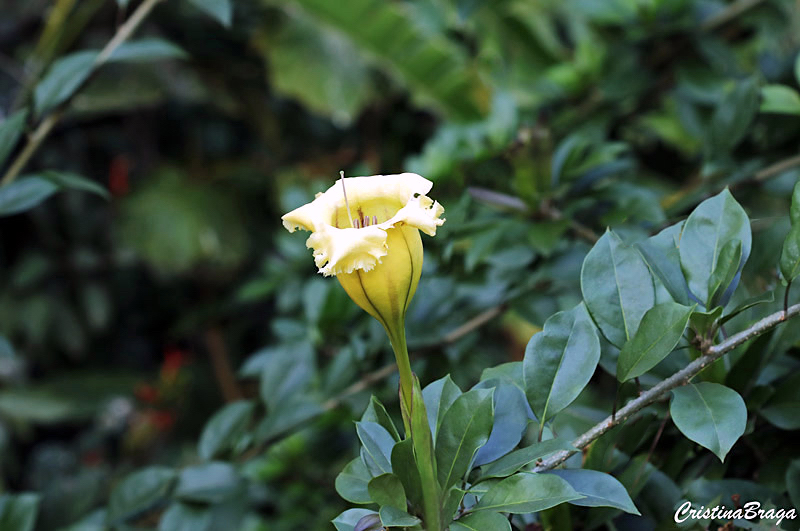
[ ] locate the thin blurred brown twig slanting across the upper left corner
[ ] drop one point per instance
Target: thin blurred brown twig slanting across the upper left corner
(45, 126)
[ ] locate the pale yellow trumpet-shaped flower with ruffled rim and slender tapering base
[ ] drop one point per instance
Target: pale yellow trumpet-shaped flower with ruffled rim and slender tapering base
(365, 231)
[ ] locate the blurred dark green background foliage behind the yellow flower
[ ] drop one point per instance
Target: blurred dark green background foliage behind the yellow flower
(168, 355)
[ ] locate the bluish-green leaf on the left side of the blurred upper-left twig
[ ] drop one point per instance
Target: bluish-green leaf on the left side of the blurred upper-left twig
(63, 78)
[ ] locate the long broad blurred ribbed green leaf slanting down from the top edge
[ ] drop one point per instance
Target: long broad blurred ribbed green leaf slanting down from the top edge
(430, 65)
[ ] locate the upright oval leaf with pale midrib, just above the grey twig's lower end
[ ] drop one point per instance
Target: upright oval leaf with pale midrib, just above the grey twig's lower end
(559, 361)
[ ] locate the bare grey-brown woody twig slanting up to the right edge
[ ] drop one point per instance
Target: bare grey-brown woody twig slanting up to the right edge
(681, 377)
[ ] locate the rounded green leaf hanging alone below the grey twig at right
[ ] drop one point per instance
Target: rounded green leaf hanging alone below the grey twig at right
(710, 414)
